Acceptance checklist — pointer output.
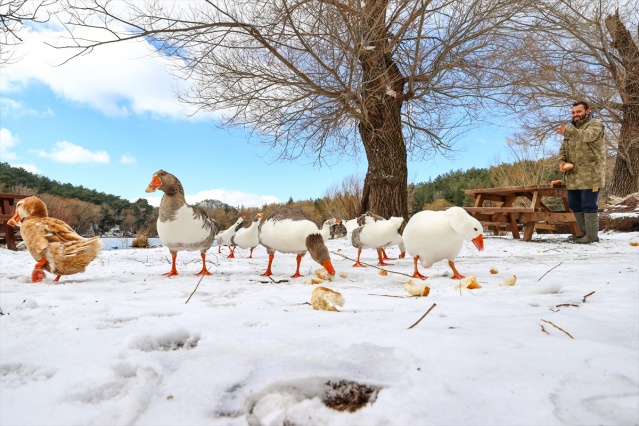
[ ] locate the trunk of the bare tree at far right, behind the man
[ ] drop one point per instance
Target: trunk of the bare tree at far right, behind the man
(625, 175)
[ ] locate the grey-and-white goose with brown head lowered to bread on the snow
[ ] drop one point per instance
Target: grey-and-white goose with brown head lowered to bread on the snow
(290, 230)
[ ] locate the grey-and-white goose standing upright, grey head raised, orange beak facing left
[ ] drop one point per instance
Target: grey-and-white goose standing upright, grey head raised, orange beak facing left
(180, 225)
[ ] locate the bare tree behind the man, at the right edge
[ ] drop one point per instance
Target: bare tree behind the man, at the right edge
(573, 51)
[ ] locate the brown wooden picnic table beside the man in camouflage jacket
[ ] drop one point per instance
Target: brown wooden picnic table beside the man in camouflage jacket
(502, 210)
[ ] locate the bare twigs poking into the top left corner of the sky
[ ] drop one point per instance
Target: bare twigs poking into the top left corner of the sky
(14, 14)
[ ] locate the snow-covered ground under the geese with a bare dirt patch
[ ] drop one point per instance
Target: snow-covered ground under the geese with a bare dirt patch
(120, 345)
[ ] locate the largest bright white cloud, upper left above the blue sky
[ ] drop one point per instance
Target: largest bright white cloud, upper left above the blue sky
(118, 80)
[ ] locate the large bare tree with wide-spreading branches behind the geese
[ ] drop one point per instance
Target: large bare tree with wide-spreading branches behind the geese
(311, 77)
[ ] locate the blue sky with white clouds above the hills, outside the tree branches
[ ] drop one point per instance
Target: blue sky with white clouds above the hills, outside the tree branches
(109, 120)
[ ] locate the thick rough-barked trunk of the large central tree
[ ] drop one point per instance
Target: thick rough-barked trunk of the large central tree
(385, 189)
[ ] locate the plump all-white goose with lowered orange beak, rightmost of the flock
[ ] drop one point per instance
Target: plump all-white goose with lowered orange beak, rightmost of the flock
(431, 236)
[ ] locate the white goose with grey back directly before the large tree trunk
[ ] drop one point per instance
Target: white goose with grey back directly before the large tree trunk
(375, 232)
